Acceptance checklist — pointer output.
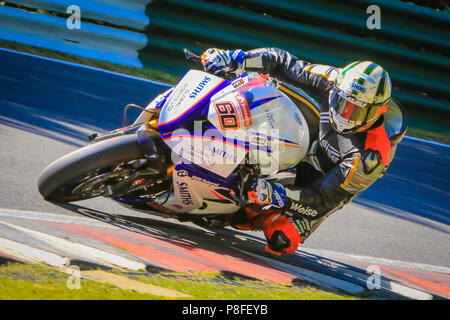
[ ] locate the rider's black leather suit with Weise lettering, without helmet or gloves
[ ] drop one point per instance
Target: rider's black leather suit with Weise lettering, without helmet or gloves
(339, 166)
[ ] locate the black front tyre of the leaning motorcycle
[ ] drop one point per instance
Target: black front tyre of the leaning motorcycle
(58, 180)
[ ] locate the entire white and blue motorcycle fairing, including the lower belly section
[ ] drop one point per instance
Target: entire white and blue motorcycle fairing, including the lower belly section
(242, 113)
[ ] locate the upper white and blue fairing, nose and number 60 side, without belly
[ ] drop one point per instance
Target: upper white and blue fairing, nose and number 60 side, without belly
(248, 114)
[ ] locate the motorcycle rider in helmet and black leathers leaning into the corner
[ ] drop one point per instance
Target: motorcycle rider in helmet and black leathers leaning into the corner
(352, 149)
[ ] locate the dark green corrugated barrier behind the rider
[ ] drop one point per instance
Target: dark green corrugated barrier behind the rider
(413, 43)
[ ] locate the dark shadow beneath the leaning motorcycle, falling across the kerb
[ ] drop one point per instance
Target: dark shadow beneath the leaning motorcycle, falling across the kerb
(311, 268)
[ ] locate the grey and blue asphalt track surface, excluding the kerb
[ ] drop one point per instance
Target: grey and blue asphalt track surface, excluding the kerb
(47, 109)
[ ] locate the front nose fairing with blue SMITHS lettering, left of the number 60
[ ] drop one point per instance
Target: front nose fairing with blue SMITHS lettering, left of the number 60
(186, 105)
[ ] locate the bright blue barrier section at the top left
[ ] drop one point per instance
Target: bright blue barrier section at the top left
(113, 40)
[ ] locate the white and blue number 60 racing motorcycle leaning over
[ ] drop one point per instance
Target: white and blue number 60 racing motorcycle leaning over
(192, 152)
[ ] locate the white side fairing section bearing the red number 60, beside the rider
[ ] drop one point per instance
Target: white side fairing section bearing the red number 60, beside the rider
(276, 130)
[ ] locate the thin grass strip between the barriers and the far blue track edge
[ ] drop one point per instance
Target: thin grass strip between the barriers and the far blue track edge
(157, 75)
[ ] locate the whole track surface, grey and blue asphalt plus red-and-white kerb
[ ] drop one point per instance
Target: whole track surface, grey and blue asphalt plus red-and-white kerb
(399, 226)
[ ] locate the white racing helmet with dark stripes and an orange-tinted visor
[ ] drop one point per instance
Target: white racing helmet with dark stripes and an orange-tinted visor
(359, 97)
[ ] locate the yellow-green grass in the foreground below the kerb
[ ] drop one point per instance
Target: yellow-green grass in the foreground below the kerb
(36, 282)
